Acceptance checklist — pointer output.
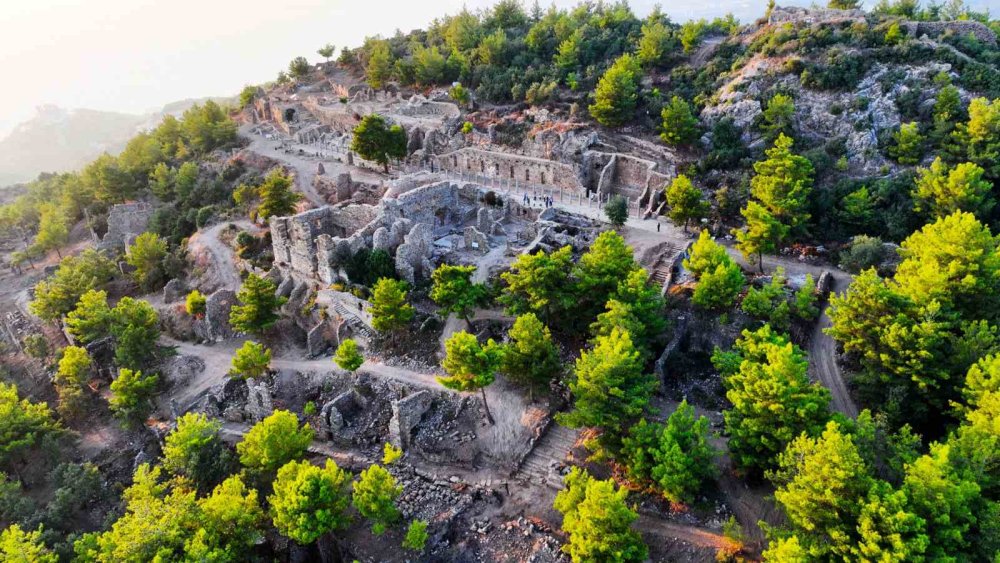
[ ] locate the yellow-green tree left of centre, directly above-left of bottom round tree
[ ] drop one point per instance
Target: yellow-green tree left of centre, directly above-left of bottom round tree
(274, 441)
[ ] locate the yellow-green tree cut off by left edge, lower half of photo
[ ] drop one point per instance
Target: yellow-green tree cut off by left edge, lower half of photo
(23, 425)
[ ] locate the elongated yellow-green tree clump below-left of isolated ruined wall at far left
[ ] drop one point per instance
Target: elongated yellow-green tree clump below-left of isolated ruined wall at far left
(58, 294)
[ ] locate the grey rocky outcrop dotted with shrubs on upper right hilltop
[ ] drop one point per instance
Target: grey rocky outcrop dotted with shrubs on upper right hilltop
(850, 85)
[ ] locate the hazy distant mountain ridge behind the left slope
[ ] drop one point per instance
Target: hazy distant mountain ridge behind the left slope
(61, 140)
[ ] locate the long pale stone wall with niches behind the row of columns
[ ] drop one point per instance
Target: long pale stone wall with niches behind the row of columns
(524, 169)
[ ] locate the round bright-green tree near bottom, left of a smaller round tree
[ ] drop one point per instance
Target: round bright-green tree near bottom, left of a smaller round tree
(310, 501)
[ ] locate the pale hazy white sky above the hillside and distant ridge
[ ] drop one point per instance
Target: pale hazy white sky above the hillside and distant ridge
(137, 55)
